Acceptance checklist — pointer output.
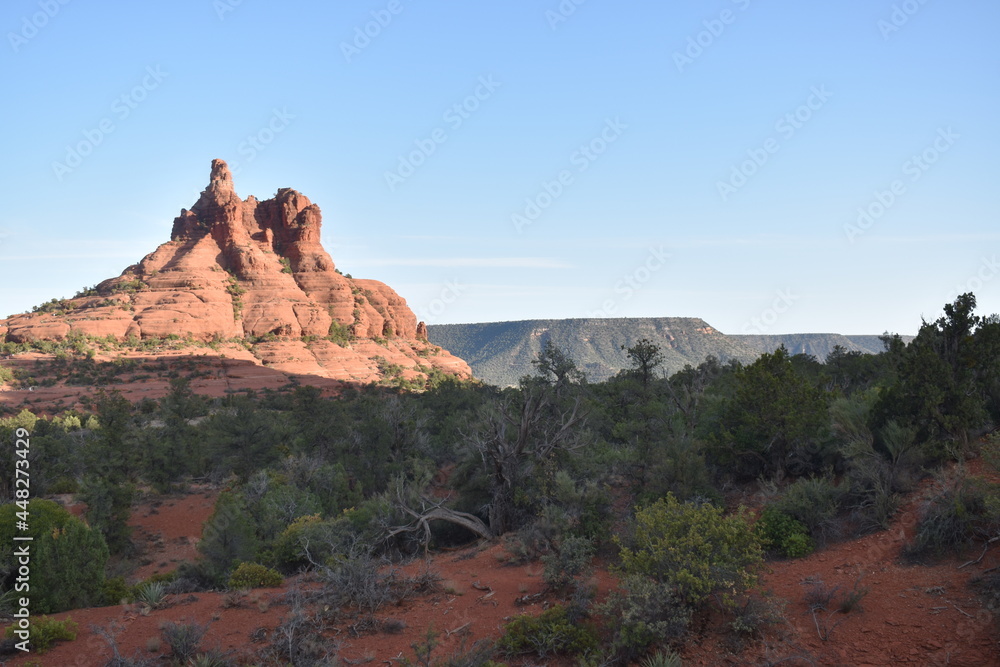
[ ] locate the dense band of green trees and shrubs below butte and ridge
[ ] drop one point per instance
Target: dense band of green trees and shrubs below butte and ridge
(343, 486)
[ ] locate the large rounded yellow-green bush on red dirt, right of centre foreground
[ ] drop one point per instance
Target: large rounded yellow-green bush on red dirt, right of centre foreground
(692, 548)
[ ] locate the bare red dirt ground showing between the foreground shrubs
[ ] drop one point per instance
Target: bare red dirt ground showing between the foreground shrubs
(913, 614)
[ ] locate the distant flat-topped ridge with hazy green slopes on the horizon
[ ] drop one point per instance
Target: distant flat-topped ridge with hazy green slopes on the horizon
(501, 352)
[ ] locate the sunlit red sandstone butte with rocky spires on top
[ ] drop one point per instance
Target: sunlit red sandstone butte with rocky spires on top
(254, 272)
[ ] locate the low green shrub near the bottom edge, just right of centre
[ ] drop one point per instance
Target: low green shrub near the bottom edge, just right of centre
(550, 633)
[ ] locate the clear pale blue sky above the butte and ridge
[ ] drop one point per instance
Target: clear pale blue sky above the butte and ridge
(512, 160)
